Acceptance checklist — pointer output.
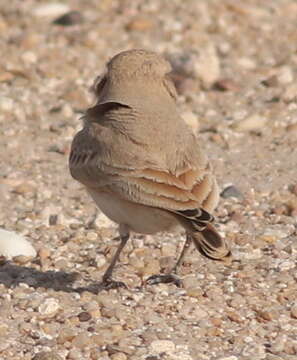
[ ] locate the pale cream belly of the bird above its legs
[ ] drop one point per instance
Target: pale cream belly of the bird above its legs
(139, 218)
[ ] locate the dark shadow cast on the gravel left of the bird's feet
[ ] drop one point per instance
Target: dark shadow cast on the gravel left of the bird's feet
(11, 275)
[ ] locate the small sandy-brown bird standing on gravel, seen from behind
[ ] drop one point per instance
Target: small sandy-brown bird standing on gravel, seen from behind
(141, 163)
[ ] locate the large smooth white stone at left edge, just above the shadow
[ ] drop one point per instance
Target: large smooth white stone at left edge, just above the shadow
(12, 244)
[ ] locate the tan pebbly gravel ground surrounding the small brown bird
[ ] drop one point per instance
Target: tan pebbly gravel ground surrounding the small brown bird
(235, 67)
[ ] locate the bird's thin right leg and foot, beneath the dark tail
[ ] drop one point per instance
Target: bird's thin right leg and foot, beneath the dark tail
(171, 277)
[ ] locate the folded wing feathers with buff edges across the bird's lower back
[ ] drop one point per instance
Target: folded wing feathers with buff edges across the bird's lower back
(190, 190)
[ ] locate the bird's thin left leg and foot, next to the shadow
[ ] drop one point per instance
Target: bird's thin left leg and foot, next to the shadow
(107, 281)
